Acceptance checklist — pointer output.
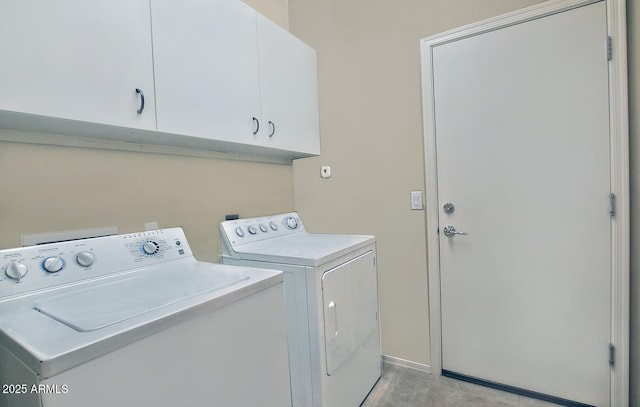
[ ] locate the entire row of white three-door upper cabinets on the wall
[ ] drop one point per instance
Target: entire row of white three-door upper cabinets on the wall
(199, 74)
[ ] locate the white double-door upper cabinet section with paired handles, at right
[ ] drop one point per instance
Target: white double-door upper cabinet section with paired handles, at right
(222, 75)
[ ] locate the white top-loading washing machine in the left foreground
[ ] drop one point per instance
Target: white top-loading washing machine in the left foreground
(136, 320)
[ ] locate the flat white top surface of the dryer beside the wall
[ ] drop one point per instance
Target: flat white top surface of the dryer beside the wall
(304, 249)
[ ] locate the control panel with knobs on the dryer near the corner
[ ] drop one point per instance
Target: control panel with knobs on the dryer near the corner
(248, 230)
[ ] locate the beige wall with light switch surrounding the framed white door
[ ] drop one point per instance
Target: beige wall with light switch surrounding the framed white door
(370, 118)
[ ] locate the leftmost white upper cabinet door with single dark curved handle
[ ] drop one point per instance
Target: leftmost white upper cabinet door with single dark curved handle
(79, 60)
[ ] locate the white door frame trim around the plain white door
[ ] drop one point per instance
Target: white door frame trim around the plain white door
(619, 142)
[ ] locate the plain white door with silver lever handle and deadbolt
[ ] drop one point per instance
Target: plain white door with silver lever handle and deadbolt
(522, 139)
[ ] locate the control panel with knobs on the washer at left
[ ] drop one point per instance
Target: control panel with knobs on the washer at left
(38, 267)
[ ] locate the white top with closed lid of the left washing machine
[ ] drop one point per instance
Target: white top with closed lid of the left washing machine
(53, 331)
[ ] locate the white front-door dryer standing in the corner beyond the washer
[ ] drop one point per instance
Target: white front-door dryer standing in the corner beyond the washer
(331, 297)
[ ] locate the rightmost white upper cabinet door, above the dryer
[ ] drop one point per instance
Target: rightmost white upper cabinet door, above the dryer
(288, 89)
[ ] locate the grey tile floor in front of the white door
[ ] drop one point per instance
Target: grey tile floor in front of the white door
(405, 387)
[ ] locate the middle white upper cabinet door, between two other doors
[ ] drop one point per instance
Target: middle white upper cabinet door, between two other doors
(206, 69)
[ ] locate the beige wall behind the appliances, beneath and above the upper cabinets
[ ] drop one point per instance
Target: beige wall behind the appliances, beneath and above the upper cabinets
(47, 188)
